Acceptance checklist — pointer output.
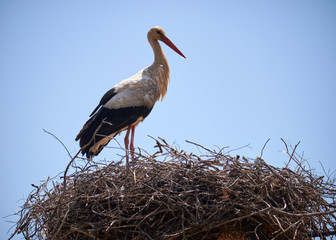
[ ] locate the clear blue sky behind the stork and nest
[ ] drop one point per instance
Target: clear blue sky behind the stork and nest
(254, 70)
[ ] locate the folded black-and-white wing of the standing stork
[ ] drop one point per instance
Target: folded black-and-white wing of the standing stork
(119, 111)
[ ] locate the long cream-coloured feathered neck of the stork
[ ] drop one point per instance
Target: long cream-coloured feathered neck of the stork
(160, 68)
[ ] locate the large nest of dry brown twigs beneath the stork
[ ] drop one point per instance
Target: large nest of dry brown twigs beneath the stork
(175, 195)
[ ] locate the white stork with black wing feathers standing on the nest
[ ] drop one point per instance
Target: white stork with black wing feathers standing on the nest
(129, 102)
